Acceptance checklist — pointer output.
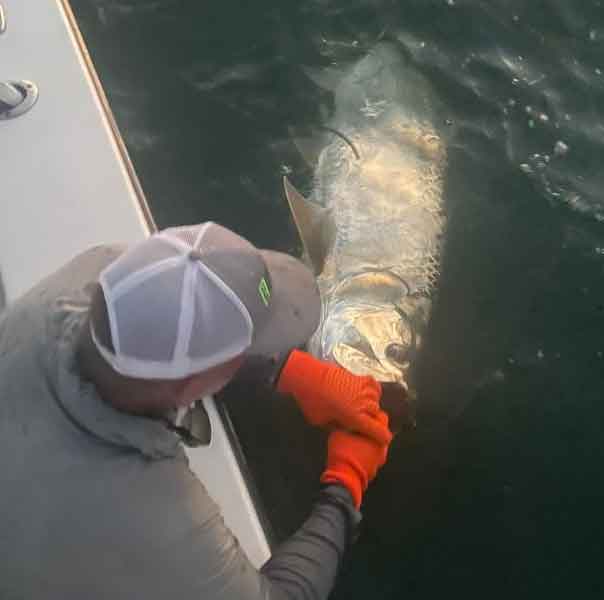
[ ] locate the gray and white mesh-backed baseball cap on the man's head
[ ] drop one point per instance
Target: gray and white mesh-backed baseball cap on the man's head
(187, 299)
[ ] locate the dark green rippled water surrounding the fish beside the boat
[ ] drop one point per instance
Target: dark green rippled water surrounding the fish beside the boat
(500, 490)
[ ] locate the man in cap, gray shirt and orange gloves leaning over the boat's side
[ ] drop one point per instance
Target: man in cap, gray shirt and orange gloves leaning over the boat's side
(96, 497)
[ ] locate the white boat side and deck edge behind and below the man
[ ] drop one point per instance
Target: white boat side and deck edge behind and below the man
(67, 184)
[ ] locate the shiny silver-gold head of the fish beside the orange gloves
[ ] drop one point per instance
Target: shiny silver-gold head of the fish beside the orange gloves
(364, 328)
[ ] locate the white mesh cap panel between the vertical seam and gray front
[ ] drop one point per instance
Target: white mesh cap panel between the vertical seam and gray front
(220, 321)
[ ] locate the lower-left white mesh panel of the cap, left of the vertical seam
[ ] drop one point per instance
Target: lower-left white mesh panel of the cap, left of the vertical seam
(147, 316)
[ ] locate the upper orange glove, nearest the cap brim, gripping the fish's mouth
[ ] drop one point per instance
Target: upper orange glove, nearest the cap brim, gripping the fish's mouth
(328, 394)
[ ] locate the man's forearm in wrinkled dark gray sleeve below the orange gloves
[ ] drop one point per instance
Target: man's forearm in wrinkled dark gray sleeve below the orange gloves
(305, 566)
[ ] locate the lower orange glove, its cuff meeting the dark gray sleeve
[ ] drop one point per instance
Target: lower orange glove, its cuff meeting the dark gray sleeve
(353, 460)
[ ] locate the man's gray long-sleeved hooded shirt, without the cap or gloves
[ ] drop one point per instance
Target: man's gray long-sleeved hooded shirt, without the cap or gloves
(95, 503)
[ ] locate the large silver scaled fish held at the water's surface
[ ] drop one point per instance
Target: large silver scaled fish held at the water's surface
(373, 223)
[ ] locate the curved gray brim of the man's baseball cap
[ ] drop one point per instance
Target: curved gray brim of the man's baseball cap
(295, 307)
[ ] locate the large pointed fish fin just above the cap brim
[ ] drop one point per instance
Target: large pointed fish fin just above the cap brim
(314, 225)
